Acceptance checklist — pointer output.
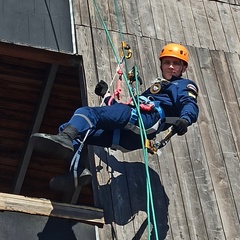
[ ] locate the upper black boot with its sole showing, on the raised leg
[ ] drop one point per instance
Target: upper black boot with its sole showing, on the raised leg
(59, 145)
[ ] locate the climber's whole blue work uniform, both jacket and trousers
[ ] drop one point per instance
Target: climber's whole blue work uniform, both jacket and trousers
(177, 98)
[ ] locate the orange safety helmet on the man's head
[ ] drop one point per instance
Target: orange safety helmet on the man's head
(175, 50)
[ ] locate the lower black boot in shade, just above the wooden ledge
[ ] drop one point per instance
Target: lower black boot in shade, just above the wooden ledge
(65, 183)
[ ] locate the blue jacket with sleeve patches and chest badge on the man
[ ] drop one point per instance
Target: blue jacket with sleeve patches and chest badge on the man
(178, 98)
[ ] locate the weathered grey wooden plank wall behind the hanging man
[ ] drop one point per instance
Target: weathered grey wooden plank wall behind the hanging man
(195, 180)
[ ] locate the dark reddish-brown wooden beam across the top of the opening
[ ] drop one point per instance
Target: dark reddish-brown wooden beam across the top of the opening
(39, 54)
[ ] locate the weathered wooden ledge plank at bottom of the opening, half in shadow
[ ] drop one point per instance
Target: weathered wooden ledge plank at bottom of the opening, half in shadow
(9, 202)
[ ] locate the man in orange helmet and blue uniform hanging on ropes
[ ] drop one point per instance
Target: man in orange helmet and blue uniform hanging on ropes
(172, 96)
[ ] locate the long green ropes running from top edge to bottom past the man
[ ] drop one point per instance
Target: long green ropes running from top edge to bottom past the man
(150, 205)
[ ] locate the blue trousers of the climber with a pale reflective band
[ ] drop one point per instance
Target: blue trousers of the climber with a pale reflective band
(102, 121)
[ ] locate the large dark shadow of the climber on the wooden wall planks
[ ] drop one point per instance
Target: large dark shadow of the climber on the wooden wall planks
(124, 195)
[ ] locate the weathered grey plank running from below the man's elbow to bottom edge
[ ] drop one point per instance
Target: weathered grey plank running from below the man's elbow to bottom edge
(205, 193)
